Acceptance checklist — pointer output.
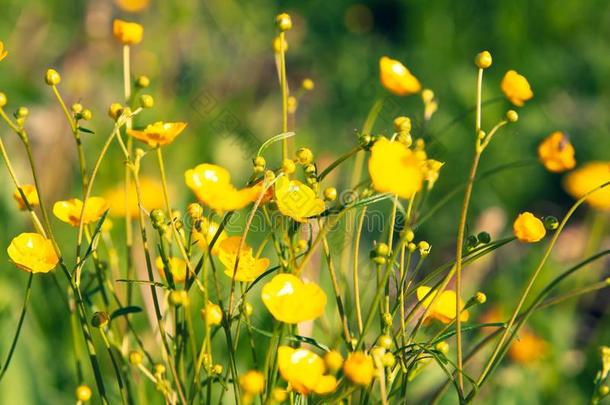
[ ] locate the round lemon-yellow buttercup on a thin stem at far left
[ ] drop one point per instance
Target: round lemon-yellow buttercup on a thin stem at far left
(33, 253)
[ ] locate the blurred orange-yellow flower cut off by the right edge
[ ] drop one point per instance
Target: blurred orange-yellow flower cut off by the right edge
(586, 178)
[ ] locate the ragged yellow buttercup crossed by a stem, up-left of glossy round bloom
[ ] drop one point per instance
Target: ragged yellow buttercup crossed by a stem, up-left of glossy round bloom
(248, 268)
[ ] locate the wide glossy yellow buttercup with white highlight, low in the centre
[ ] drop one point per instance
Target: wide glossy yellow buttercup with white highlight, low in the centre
(291, 300)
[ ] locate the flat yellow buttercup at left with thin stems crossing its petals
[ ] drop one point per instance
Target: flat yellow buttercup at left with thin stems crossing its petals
(151, 193)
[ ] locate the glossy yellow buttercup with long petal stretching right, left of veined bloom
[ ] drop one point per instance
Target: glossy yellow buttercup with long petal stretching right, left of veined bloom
(212, 186)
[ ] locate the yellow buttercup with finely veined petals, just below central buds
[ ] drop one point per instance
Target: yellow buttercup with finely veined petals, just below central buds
(297, 200)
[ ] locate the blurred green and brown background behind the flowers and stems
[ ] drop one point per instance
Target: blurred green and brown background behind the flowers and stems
(212, 59)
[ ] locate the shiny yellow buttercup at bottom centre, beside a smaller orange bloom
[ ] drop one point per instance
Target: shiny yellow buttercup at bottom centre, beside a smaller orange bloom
(304, 371)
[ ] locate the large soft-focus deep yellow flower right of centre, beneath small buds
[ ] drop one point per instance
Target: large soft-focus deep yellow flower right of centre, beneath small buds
(396, 169)
